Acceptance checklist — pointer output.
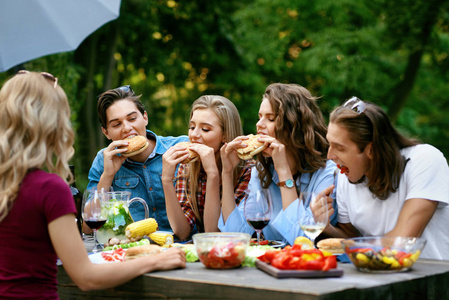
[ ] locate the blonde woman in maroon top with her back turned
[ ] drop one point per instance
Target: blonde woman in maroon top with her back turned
(37, 211)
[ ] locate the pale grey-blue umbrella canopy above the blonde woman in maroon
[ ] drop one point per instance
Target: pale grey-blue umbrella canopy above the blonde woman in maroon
(33, 28)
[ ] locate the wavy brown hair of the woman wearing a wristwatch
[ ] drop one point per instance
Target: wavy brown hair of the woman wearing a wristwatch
(300, 126)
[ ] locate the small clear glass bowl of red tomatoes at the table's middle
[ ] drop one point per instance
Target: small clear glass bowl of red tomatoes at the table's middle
(221, 250)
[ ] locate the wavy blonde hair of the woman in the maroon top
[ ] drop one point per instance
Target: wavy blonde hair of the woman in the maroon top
(35, 133)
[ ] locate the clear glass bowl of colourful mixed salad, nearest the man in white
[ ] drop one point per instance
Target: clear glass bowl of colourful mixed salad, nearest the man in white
(383, 254)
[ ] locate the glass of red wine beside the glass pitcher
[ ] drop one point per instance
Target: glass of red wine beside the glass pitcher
(93, 213)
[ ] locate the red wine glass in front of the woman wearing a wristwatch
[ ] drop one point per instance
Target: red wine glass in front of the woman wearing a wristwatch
(258, 208)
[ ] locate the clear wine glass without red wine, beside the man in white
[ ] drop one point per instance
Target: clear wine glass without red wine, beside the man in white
(313, 223)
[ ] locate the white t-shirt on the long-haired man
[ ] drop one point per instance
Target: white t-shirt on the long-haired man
(426, 176)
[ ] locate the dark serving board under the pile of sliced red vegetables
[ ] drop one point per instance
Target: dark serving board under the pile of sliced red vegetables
(275, 272)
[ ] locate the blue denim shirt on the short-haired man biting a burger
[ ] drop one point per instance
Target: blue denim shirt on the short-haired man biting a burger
(141, 179)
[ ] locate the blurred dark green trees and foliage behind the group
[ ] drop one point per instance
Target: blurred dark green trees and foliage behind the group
(393, 53)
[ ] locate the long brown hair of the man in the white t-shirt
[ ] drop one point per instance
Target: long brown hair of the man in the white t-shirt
(374, 126)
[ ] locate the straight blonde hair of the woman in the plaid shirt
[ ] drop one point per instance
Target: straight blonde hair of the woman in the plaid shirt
(231, 125)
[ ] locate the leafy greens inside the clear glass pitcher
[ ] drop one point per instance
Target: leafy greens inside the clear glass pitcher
(118, 217)
